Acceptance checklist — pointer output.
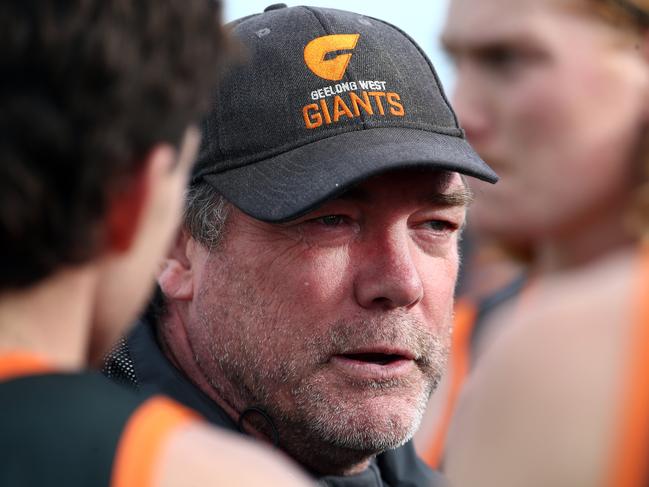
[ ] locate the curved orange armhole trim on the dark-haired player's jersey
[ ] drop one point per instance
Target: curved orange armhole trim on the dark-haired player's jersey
(143, 439)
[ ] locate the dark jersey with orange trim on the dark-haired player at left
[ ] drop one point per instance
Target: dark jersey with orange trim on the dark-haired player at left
(78, 429)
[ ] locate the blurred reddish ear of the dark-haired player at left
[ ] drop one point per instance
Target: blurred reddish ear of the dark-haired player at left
(127, 205)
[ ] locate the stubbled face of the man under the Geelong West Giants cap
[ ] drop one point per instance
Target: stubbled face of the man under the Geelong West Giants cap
(336, 323)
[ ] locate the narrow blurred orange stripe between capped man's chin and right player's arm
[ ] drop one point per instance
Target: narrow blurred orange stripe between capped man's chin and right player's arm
(460, 362)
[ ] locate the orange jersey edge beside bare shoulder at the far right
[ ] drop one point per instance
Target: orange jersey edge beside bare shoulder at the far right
(631, 447)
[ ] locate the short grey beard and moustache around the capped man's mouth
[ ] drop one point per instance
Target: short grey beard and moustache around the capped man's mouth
(313, 417)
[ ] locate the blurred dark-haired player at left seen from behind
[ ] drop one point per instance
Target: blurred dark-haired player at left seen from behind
(97, 136)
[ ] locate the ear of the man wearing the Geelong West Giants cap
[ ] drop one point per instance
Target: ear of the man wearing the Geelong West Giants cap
(176, 277)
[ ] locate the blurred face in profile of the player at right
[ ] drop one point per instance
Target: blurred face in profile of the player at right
(552, 97)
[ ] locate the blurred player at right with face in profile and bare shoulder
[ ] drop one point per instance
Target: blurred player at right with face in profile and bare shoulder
(555, 95)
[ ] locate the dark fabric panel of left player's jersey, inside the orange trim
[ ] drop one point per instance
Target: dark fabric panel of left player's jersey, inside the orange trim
(61, 429)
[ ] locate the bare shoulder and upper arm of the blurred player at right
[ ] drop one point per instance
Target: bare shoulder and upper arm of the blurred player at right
(550, 383)
